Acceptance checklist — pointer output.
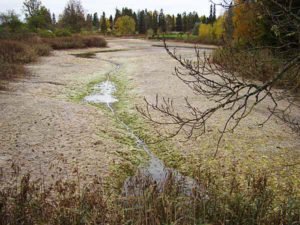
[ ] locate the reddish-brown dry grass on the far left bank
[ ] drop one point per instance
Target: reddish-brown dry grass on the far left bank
(15, 53)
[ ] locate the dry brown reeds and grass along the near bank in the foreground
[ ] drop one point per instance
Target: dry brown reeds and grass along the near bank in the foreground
(216, 199)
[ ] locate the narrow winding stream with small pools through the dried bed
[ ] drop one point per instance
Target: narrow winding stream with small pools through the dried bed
(155, 170)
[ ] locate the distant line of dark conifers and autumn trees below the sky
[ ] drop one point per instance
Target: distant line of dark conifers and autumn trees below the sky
(73, 19)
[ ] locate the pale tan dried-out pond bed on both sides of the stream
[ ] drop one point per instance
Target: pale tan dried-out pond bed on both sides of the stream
(40, 126)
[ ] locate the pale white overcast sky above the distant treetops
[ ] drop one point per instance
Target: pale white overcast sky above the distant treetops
(109, 6)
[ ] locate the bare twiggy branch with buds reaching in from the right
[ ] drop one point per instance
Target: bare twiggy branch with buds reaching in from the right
(228, 87)
